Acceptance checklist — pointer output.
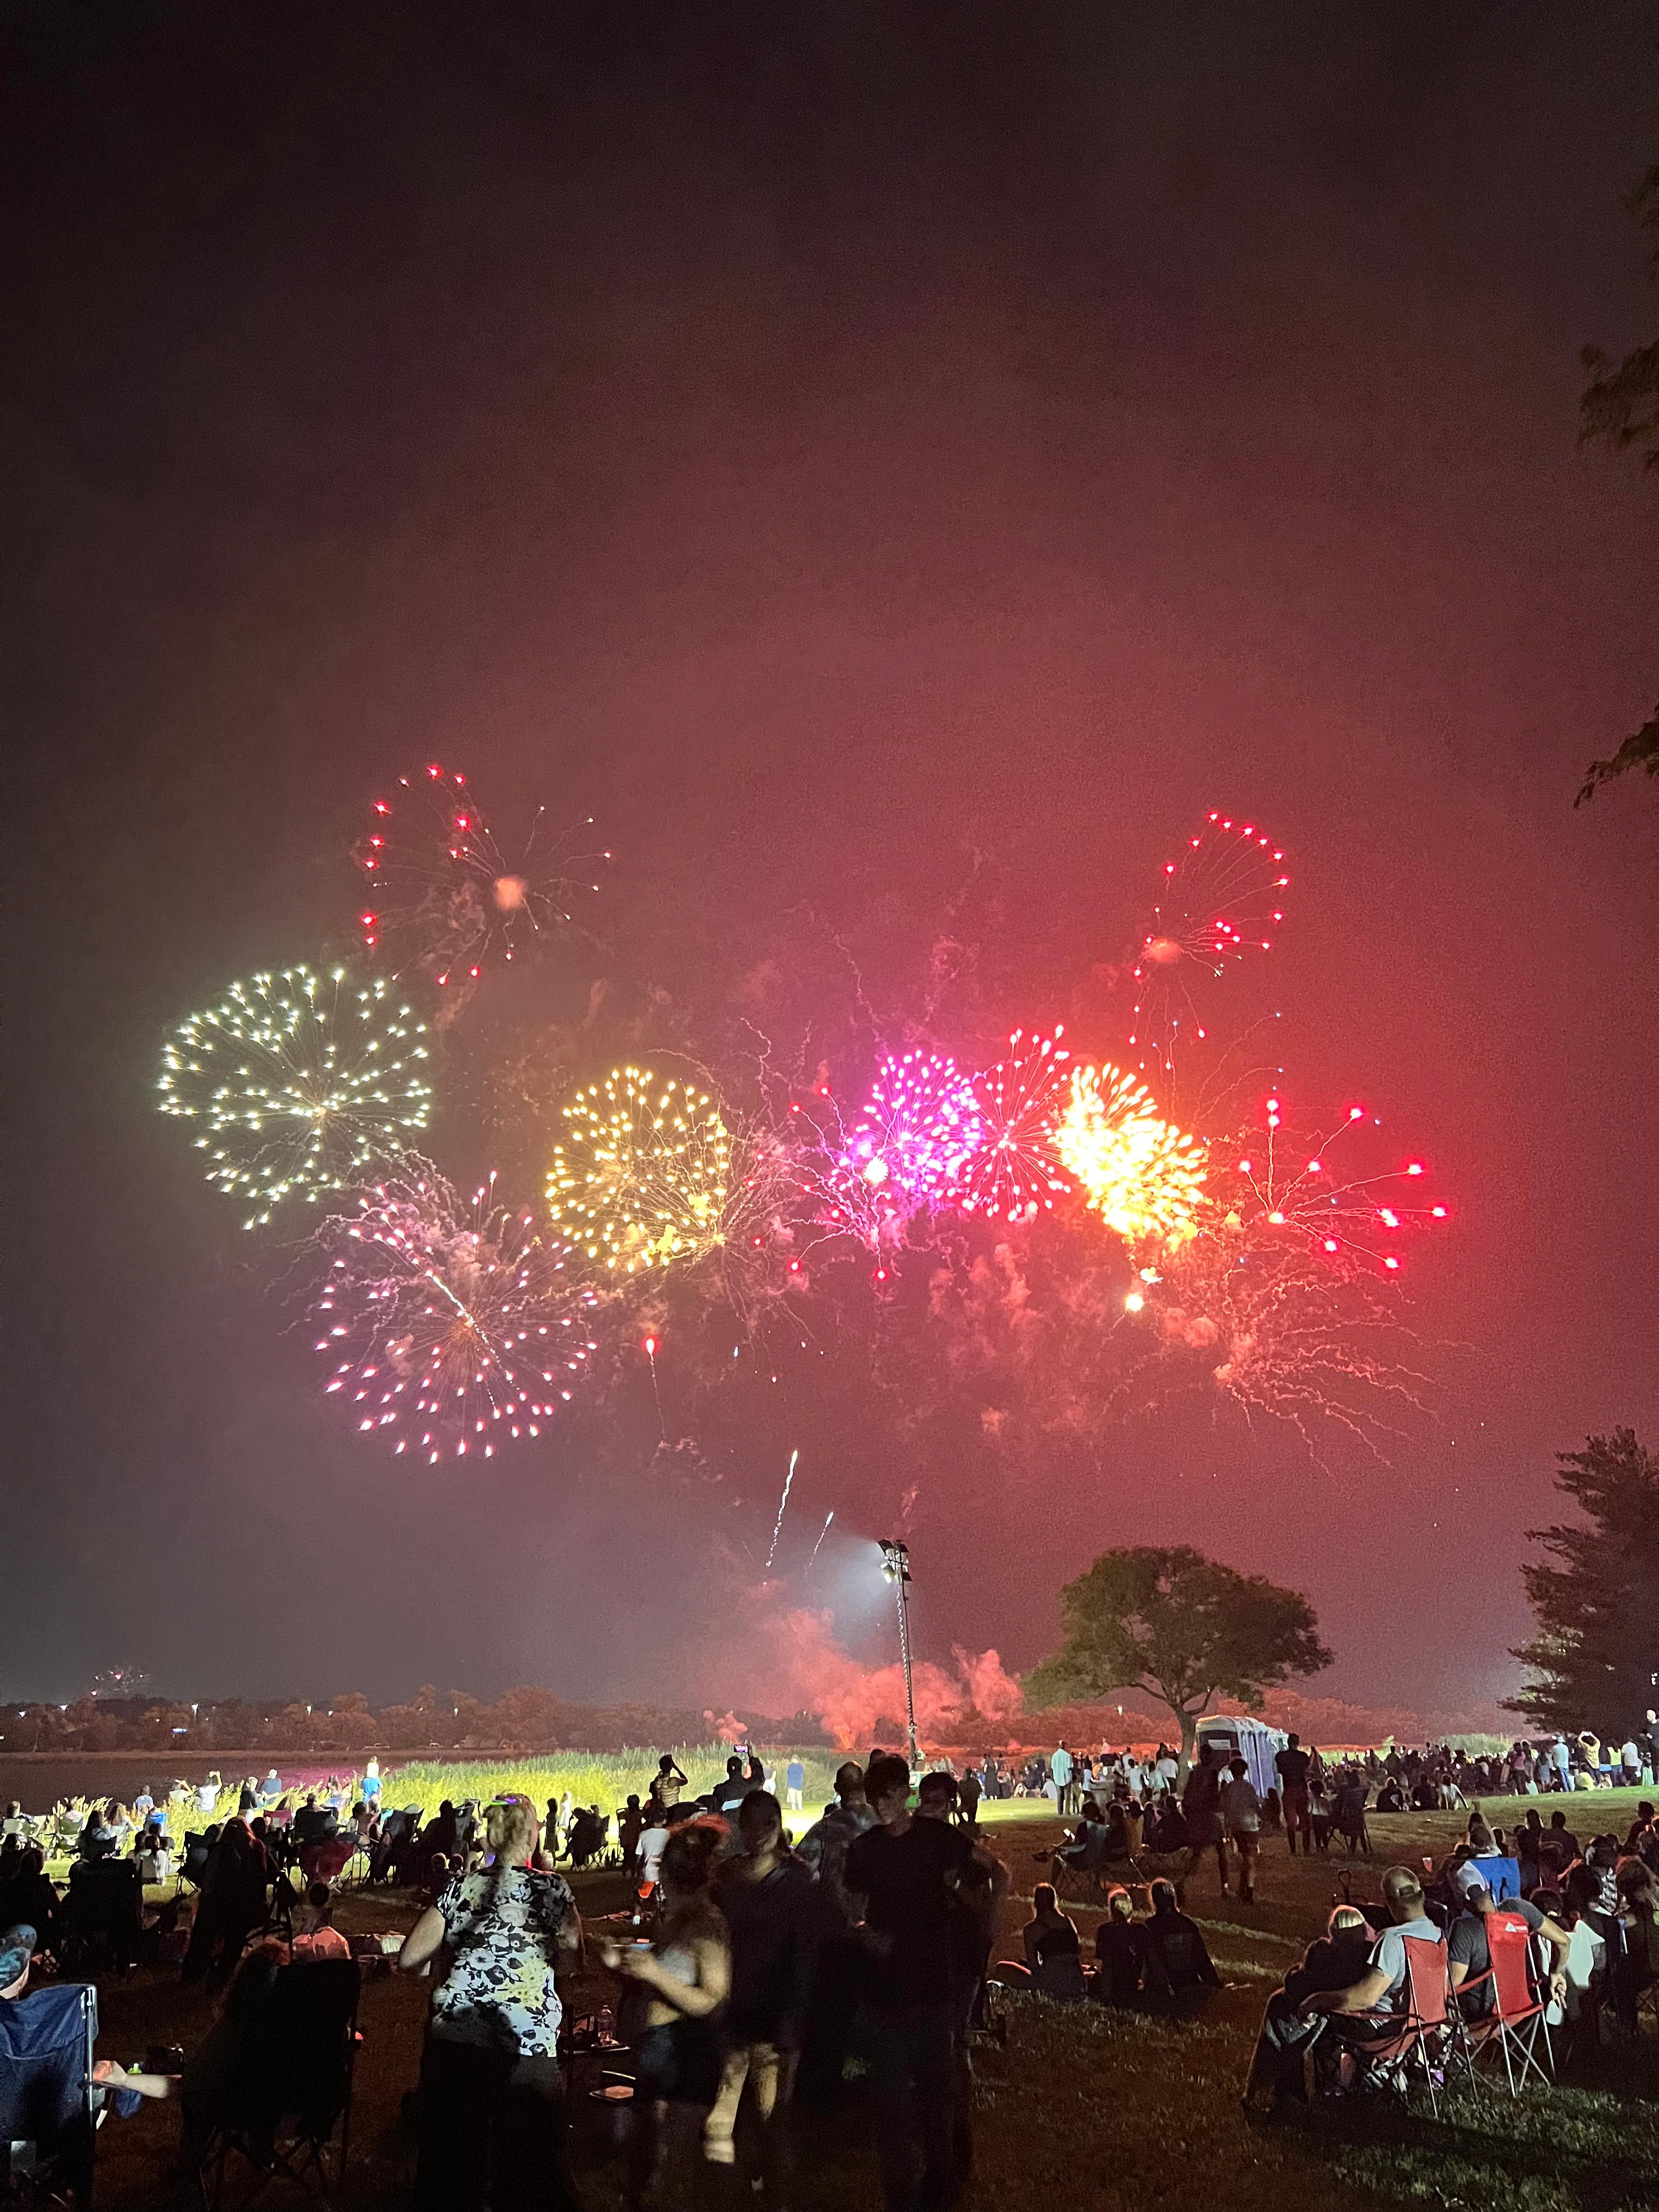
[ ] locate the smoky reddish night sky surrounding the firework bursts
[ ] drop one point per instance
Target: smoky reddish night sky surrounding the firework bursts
(853, 452)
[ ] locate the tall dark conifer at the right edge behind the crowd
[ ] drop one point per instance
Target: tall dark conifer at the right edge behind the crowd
(1596, 1653)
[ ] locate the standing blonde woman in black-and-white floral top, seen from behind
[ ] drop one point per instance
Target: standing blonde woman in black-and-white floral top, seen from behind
(492, 2094)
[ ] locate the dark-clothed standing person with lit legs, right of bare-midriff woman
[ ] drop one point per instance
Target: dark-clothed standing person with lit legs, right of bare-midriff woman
(769, 1906)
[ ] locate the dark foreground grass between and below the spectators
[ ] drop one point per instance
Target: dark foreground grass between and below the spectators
(1083, 2107)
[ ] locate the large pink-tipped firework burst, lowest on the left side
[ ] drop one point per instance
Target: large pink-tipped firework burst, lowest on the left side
(455, 1328)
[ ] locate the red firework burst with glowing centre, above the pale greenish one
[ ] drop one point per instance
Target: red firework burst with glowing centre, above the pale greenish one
(446, 895)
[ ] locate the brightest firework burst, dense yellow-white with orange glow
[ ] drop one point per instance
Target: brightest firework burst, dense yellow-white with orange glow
(1142, 1176)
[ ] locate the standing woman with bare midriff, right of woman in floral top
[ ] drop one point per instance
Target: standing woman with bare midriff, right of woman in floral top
(685, 1979)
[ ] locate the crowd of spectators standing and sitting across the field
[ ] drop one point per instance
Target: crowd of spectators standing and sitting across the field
(753, 1972)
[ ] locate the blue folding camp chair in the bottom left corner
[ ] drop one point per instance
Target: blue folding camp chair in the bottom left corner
(48, 2127)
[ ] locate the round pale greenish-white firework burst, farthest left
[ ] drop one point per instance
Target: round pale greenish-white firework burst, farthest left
(298, 1083)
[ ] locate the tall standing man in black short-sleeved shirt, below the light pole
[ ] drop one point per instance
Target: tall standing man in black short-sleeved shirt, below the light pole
(906, 1872)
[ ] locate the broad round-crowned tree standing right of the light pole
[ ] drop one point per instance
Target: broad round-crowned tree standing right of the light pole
(1180, 1627)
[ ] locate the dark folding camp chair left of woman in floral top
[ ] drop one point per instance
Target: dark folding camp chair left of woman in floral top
(293, 2087)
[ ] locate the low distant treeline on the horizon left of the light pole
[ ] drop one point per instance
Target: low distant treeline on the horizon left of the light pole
(519, 1722)
